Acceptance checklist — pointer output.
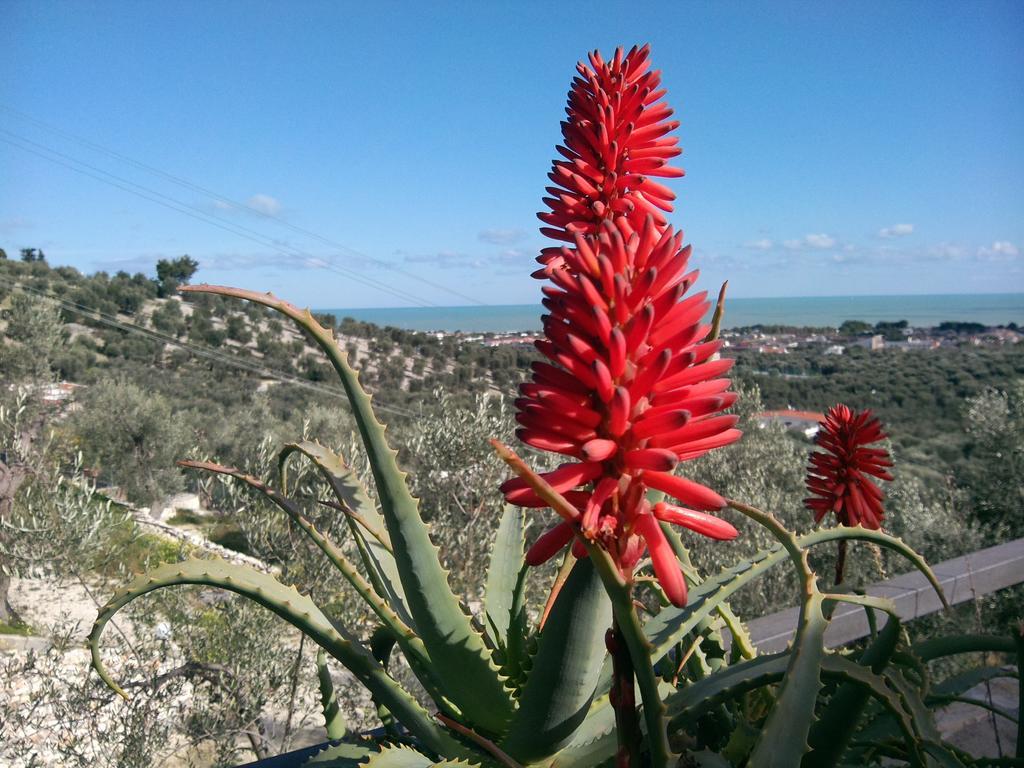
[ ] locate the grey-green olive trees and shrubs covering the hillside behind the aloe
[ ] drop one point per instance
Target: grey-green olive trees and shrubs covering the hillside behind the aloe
(955, 416)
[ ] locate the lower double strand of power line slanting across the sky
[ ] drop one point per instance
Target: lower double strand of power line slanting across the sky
(201, 216)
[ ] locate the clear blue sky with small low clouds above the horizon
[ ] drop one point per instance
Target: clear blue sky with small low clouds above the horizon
(386, 151)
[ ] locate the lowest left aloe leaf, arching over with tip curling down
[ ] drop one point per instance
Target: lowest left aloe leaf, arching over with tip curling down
(298, 611)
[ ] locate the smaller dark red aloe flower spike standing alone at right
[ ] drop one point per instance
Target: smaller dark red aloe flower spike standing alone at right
(838, 475)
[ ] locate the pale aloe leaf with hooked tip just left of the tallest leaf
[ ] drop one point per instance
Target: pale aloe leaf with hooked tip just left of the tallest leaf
(366, 522)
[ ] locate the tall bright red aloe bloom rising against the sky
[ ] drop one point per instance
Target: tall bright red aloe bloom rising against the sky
(630, 388)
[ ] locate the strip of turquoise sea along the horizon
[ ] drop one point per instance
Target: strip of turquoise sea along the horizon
(821, 312)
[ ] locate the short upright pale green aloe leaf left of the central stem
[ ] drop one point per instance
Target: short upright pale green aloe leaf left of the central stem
(503, 575)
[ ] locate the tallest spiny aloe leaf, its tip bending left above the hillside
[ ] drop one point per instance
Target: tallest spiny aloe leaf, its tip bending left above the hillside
(459, 657)
